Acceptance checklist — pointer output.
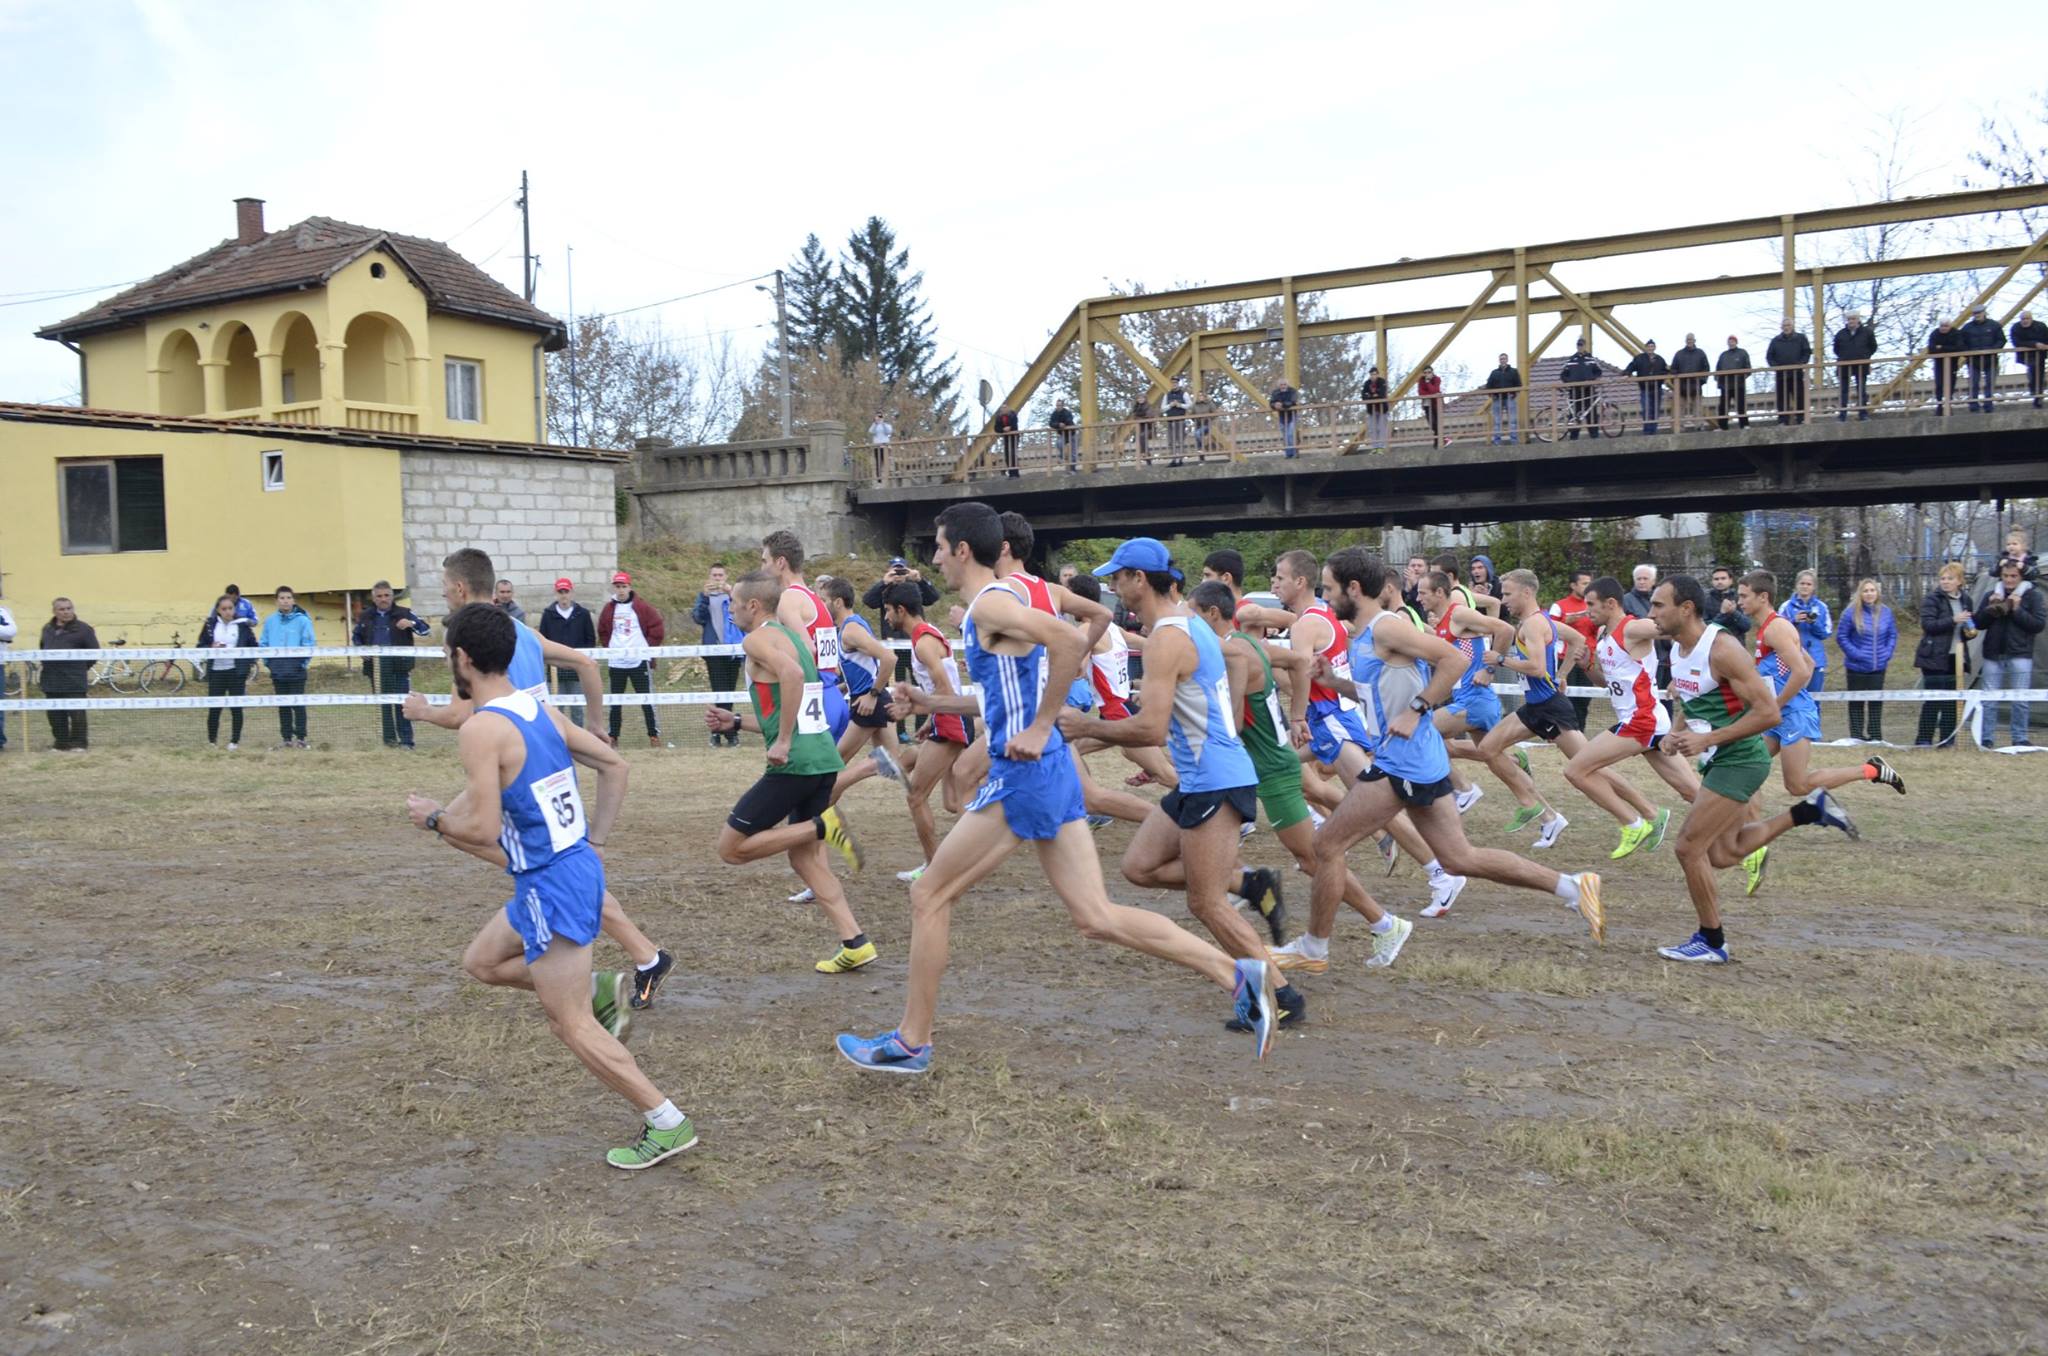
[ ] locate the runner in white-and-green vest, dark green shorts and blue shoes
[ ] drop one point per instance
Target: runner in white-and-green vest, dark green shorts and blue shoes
(1727, 708)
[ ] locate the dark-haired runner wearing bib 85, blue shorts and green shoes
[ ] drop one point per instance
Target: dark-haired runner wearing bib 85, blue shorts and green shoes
(523, 810)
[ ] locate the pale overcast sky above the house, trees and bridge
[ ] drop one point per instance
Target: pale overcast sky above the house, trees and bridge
(1025, 153)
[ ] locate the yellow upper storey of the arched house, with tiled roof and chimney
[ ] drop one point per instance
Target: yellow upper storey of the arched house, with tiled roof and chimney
(323, 323)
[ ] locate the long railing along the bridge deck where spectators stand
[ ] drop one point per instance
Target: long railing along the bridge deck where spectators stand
(1615, 405)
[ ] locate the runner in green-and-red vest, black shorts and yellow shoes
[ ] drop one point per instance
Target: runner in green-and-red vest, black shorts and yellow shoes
(790, 808)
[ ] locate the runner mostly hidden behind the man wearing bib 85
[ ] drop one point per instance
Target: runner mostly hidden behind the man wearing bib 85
(470, 577)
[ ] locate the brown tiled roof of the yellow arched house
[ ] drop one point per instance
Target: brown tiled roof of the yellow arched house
(308, 255)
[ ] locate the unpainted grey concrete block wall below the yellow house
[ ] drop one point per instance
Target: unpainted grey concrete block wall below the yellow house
(540, 517)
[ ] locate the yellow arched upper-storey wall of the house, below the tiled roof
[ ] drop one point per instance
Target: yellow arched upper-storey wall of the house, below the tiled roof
(126, 370)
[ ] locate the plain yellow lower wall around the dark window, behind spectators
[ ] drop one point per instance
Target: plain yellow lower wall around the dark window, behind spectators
(335, 527)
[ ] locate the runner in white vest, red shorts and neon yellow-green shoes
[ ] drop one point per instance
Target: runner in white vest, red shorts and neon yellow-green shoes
(1641, 722)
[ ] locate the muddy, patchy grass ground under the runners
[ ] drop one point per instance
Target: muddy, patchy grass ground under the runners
(253, 1105)
